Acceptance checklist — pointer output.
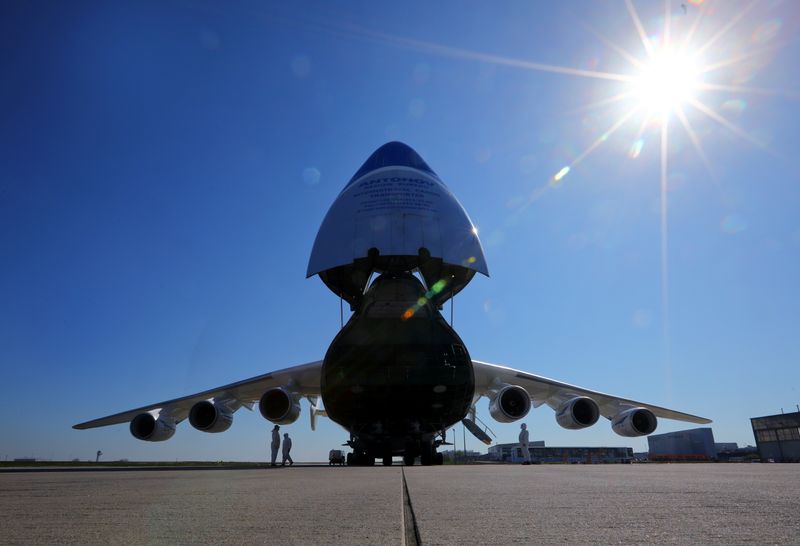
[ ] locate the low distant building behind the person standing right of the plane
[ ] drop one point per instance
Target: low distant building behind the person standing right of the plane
(540, 454)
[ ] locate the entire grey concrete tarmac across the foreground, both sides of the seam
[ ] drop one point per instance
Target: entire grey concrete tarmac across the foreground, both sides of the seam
(480, 504)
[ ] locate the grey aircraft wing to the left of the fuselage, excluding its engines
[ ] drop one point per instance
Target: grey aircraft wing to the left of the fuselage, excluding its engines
(302, 380)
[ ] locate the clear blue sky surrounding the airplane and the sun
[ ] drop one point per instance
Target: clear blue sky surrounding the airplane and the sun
(164, 168)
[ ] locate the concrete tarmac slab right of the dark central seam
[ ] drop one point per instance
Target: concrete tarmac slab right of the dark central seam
(608, 504)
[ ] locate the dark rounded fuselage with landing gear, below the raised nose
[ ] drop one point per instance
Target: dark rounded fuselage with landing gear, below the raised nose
(397, 374)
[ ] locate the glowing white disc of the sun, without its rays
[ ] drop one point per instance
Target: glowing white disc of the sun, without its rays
(666, 81)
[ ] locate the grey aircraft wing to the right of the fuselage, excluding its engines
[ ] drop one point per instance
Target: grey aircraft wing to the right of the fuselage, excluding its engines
(489, 378)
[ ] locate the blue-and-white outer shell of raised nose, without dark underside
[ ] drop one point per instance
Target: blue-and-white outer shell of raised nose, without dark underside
(396, 204)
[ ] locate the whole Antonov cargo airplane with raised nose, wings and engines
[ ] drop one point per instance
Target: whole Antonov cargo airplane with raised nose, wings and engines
(396, 244)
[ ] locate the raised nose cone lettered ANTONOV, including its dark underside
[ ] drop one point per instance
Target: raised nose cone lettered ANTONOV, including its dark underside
(396, 215)
